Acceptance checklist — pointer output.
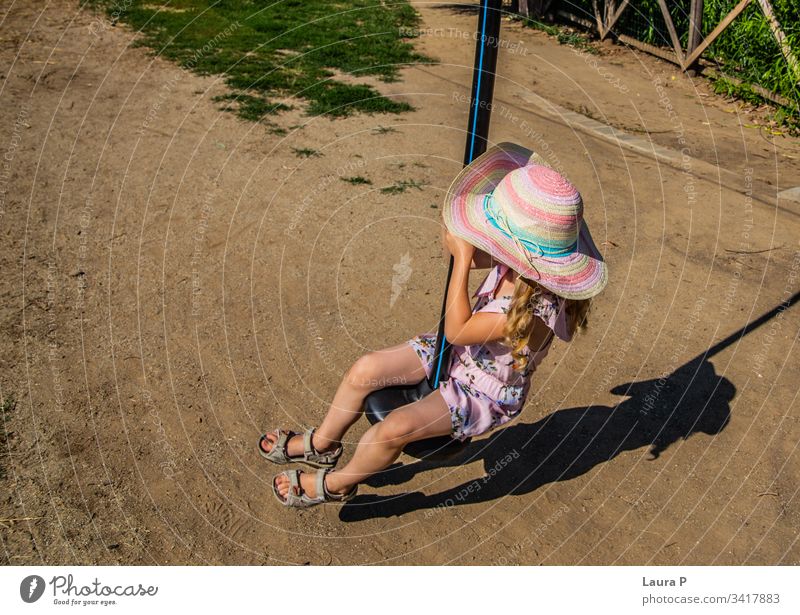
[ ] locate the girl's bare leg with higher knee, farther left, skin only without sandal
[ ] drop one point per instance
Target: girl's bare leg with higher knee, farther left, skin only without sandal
(375, 370)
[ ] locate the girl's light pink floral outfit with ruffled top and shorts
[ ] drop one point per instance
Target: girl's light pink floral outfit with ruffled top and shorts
(484, 390)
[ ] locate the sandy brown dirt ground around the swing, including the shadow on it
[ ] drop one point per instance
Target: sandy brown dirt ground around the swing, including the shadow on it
(175, 281)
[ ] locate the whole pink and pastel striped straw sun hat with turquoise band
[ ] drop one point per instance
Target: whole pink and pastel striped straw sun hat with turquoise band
(512, 205)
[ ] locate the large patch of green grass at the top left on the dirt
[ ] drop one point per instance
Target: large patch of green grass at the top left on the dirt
(269, 50)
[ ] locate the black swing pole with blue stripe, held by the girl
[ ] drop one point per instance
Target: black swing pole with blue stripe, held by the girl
(480, 111)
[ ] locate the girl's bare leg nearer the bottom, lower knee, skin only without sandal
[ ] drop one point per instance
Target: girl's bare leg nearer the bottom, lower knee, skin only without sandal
(382, 443)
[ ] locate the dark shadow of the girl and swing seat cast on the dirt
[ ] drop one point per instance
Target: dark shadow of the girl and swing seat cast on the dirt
(568, 443)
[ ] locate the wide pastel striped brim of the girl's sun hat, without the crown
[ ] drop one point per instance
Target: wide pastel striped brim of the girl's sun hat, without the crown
(579, 275)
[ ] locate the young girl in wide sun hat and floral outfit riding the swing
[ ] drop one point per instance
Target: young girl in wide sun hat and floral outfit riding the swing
(509, 211)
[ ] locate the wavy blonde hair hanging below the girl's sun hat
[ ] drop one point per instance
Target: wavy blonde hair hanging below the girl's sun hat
(520, 319)
